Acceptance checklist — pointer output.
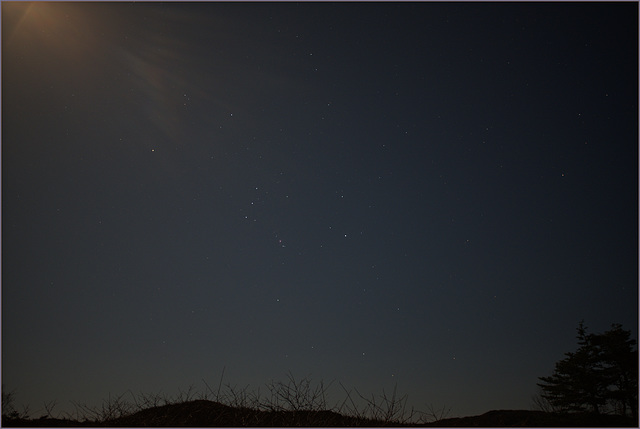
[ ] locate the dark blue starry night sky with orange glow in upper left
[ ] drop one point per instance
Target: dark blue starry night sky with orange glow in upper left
(431, 195)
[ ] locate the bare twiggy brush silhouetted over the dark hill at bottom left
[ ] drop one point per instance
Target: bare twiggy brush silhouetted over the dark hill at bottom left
(293, 402)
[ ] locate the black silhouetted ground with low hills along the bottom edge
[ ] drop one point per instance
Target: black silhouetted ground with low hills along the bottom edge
(202, 413)
